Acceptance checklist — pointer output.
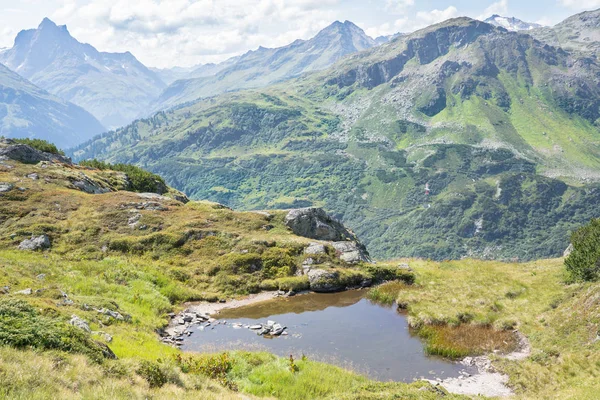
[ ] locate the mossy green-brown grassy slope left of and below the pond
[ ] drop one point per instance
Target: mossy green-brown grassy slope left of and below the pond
(101, 262)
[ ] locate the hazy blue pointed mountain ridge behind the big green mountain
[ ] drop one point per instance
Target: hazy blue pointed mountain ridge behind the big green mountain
(266, 66)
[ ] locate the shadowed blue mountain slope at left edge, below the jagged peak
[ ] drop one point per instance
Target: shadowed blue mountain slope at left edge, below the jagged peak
(28, 111)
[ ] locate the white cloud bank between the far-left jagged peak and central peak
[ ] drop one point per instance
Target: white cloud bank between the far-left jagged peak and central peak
(186, 32)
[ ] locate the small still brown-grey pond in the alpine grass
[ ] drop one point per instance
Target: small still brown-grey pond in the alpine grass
(344, 329)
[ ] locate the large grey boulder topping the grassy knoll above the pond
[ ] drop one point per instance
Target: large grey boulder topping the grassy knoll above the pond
(314, 223)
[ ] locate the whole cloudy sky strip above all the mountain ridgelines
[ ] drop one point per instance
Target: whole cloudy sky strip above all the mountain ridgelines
(167, 33)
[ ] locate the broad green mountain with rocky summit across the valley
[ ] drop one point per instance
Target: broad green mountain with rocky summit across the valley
(500, 128)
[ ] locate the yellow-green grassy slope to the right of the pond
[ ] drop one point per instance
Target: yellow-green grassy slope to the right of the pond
(561, 321)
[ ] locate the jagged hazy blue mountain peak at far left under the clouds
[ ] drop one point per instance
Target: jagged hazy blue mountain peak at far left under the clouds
(114, 87)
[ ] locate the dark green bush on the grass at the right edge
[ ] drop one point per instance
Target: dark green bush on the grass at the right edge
(583, 264)
